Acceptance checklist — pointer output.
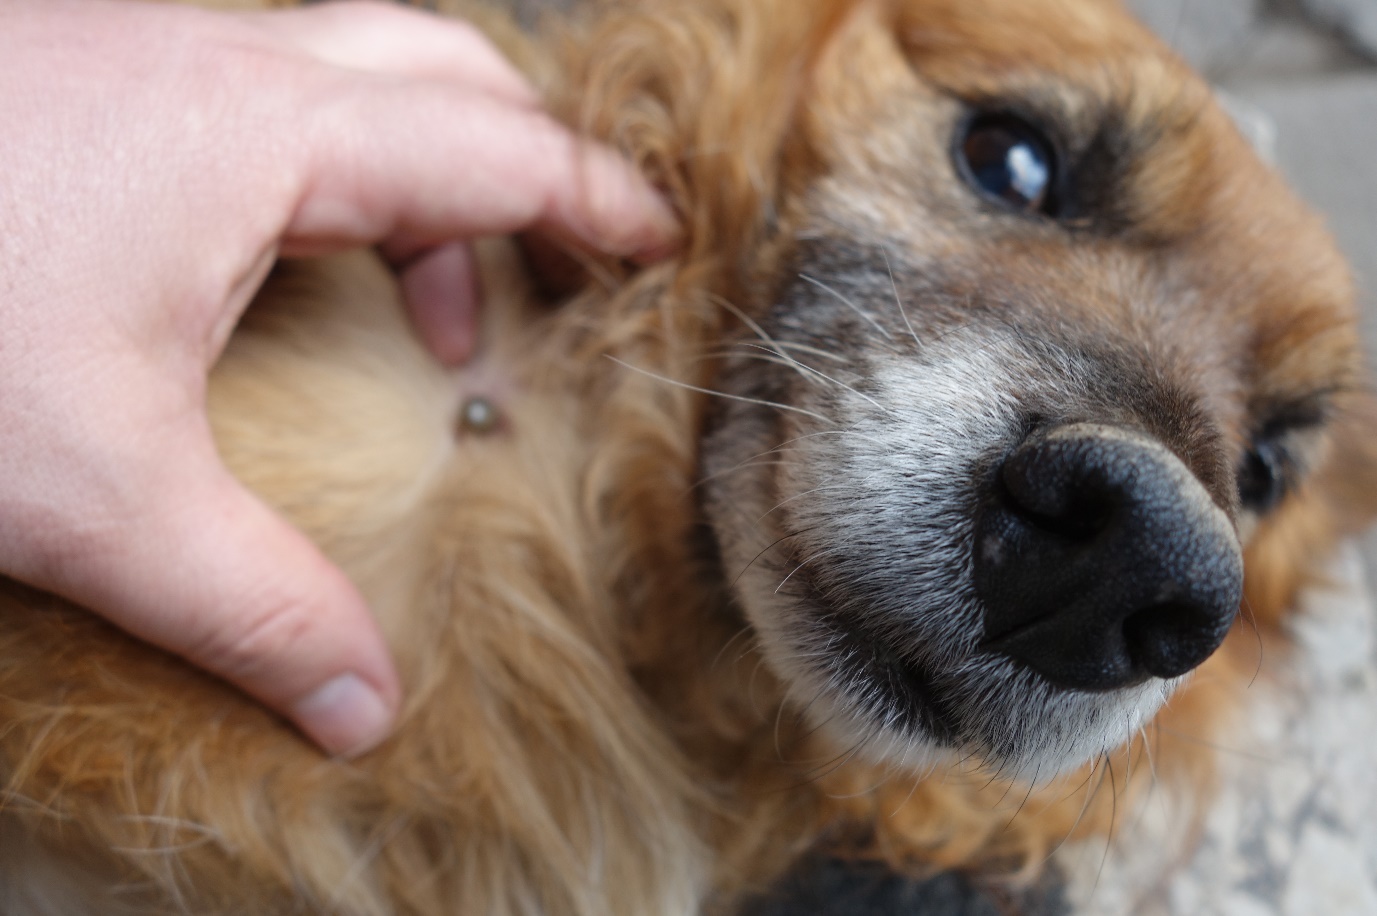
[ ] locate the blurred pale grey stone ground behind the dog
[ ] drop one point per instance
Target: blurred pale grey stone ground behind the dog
(1295, 834)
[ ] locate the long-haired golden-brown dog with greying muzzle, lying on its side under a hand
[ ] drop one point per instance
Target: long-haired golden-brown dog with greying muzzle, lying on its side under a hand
(1032, 377)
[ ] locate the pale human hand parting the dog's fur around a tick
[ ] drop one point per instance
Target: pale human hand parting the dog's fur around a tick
(156, 160)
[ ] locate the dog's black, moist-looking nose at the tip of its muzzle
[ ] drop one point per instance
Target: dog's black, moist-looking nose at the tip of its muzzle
(1102, 560)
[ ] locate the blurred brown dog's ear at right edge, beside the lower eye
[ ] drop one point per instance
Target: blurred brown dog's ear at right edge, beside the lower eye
(1292, 546)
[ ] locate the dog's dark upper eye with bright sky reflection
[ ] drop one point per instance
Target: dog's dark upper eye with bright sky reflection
(1011, 162)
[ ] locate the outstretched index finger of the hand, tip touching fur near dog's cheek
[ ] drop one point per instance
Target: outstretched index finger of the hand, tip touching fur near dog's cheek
(423, 163)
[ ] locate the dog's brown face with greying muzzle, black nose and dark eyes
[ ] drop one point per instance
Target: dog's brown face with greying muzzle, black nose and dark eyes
(1051, 342)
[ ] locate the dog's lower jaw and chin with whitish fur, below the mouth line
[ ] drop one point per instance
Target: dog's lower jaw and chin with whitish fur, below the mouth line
(881, 696)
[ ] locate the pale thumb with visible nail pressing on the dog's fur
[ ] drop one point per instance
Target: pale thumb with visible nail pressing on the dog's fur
(211, 574)
